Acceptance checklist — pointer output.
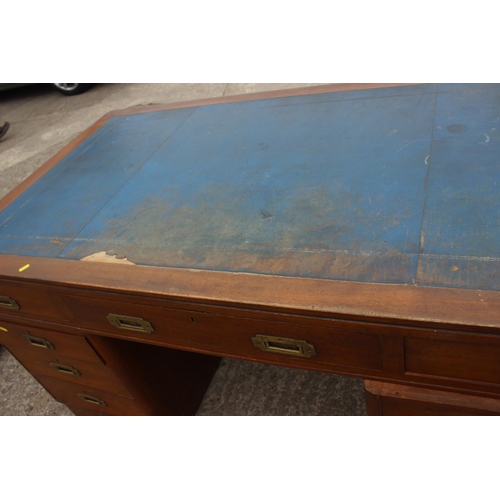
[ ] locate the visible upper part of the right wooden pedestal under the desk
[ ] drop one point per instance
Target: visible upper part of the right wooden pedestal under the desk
(391, 399)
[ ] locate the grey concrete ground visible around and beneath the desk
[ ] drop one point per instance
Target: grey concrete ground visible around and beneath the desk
(42, 123)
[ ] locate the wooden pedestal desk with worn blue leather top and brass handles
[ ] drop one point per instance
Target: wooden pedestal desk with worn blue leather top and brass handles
(345, 229)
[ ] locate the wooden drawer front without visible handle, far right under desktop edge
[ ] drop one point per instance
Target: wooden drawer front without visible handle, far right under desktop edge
(463, 357)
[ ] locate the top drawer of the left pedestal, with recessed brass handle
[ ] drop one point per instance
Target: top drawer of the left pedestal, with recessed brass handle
(37, 341)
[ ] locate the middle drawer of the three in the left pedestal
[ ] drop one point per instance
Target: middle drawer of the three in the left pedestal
(49, 363)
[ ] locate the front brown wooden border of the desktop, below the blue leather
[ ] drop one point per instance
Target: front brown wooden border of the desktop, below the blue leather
(460, 309)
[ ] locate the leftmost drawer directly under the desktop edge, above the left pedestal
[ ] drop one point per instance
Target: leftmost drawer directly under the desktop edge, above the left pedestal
(29, 300)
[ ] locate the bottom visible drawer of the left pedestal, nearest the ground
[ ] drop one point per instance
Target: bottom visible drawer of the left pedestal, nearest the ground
(74, 395)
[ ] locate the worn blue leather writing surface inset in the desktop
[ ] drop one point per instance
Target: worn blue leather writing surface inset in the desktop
(394, 185)
